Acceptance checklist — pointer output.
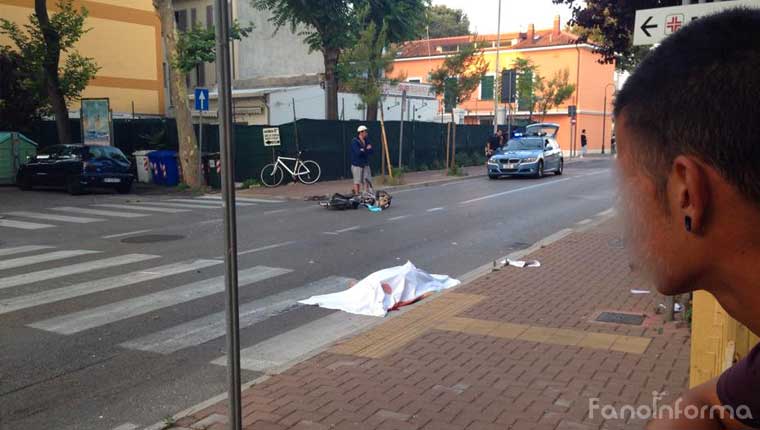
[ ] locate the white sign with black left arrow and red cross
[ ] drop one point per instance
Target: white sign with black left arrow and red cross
(653, 25)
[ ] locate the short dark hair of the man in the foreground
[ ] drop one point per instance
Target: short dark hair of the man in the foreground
(697, 94)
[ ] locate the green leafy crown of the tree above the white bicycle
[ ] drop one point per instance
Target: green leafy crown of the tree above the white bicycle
(328, 23)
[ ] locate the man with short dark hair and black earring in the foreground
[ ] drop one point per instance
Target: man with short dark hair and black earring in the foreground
(689, 162)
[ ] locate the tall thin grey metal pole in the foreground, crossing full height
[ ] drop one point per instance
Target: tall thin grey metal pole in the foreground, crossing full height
(230, 223)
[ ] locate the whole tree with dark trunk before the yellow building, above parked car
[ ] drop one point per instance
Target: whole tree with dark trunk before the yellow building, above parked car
(40, 45)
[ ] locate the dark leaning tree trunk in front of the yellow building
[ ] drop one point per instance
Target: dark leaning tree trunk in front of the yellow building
(50, 70)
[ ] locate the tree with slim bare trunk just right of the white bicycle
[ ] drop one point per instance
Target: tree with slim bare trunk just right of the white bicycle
(329, 28)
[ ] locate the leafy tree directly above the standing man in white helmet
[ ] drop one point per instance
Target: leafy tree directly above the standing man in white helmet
(364, 67)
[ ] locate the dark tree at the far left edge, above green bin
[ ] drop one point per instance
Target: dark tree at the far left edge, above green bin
(20, 101)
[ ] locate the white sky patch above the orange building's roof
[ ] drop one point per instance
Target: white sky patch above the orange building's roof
(515, 14)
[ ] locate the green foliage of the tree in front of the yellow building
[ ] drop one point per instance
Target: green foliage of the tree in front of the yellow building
(33, 52)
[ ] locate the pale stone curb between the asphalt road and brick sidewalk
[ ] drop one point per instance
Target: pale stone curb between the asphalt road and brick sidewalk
(465, 279)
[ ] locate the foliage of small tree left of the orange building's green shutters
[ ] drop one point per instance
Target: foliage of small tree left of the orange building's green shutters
(459, 75)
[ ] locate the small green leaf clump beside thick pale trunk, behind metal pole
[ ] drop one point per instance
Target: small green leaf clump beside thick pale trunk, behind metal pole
(198, 45)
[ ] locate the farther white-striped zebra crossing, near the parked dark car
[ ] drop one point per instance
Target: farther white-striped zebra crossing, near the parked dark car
(60, 216)
